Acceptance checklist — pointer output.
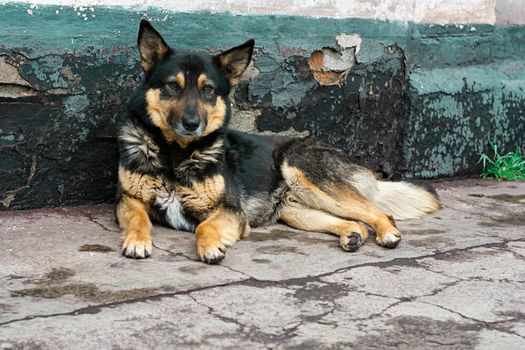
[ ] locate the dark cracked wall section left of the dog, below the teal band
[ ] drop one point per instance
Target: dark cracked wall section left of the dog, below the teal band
(57, 140)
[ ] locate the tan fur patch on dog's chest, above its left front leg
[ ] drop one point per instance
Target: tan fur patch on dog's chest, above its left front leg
(140, 186)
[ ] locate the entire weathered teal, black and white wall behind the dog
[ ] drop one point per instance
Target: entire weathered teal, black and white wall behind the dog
(408, 97)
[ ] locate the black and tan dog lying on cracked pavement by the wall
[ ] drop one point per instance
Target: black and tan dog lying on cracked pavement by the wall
(180, 165)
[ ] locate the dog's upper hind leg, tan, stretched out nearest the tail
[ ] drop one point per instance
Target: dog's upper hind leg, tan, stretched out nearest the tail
(340, 199)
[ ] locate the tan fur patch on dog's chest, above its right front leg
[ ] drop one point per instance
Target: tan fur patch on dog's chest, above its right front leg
(203, 196)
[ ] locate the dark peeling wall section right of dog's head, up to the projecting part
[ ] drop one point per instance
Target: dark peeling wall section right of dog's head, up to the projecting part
(362, 114)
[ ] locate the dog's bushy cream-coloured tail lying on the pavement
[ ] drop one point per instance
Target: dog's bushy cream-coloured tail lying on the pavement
(402, 200)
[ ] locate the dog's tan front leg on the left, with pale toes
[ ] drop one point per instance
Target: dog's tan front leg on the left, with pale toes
(136, 227)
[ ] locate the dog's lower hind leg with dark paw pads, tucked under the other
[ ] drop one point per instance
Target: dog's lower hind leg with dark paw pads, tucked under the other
(351, 234)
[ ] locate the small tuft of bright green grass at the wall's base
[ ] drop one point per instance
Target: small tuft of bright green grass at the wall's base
(509, 166)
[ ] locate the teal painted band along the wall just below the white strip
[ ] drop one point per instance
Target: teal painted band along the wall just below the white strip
(431, 45)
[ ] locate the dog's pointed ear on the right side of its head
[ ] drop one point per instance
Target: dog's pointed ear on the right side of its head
(235, 61)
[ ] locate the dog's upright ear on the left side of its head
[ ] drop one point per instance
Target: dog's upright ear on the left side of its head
(153, 49)
